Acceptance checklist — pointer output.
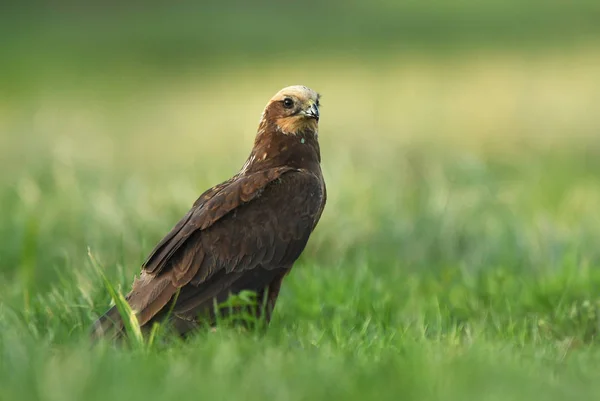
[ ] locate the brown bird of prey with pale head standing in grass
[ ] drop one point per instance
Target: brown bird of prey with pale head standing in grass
(243, 234)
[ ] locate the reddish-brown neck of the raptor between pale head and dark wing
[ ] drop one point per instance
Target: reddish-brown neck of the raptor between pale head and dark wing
(273, 148)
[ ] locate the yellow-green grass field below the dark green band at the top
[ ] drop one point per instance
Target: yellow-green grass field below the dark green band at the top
(457, 258)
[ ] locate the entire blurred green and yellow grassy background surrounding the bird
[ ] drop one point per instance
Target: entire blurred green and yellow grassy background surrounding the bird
(457, 257)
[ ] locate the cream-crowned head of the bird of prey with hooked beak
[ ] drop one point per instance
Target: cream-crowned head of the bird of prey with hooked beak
(293, 110)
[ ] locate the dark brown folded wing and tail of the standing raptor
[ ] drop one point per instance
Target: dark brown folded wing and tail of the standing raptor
(256, 236)
